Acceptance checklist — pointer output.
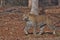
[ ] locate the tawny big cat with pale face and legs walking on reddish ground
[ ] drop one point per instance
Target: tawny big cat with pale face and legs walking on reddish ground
(37, 21)
